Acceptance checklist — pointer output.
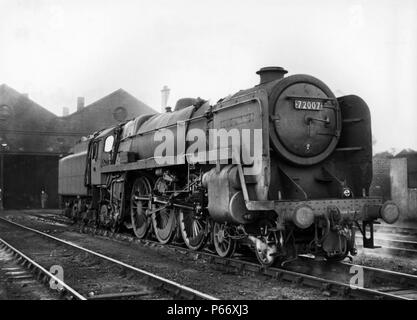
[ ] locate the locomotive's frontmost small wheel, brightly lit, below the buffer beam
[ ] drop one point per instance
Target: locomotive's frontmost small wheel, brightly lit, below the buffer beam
(266, 246)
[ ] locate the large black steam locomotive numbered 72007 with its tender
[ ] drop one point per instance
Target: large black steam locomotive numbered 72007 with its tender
(283, 168)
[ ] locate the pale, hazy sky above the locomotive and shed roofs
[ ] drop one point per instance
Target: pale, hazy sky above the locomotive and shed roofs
(57, 50)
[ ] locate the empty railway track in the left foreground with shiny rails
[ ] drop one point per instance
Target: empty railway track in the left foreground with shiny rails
(82, 267)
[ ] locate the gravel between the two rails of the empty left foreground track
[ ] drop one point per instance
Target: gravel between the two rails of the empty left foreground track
(87, 274)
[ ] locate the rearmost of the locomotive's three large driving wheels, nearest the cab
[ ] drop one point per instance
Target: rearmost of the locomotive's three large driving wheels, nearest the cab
(139, 204)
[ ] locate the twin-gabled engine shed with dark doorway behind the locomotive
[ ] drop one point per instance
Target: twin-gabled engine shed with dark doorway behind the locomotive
(32, 140)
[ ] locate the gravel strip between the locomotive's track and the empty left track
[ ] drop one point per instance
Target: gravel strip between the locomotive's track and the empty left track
(193, 272)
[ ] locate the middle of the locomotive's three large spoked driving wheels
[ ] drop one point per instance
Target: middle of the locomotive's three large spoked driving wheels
(164, 224)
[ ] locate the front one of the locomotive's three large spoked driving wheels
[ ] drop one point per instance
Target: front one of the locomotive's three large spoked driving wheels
(193, 229)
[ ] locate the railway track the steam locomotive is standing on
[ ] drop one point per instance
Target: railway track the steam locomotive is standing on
(331, 279)
